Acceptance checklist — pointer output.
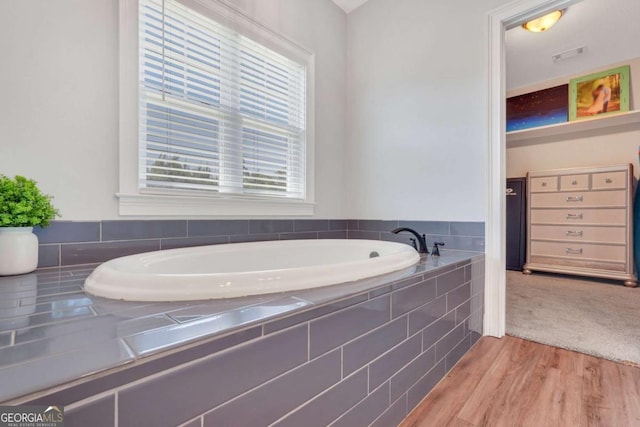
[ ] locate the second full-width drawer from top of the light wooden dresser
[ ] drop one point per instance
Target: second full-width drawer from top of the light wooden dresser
(579, 216)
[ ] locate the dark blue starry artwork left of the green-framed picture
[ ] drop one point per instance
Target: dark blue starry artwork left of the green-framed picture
(540, 108)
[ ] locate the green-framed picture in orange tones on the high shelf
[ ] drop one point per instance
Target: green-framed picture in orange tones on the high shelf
(599, 94)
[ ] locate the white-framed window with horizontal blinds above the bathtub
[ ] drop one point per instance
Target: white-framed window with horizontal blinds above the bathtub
(220, 116)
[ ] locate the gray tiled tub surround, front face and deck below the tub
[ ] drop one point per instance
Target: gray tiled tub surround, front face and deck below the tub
(363, 353)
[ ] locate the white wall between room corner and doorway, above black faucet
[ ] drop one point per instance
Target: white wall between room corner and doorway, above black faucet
(417, 109)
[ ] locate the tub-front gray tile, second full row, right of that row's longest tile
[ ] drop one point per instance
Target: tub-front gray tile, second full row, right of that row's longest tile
(371, 345)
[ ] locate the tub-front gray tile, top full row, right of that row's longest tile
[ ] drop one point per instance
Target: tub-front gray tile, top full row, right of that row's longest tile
(337, 328)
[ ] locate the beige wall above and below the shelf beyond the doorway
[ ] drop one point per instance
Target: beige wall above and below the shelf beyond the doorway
(609, 146)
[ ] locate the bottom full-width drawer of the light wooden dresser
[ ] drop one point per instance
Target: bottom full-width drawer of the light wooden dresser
(579, 251)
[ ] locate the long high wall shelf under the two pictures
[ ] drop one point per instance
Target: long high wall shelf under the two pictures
(521, 137)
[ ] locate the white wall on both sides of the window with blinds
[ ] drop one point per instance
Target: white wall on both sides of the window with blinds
(59, 105)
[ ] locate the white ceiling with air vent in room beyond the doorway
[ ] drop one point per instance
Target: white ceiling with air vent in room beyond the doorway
(608, 30)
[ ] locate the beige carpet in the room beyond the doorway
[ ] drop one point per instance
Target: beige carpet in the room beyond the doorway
(590, 316)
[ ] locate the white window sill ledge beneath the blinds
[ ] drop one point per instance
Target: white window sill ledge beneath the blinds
(186, 206)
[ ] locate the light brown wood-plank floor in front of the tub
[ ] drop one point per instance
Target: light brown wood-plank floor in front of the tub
(513, 382)
